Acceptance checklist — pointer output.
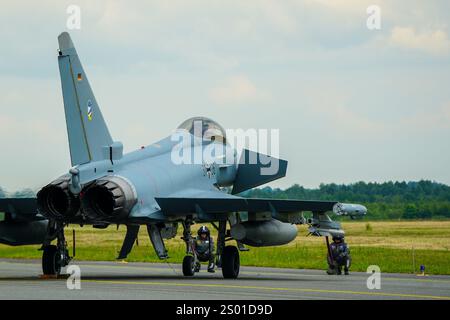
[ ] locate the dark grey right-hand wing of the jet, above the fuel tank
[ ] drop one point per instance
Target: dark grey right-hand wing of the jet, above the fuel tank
(181, 205)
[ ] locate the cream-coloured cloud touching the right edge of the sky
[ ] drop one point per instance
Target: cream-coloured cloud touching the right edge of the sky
(434, 42)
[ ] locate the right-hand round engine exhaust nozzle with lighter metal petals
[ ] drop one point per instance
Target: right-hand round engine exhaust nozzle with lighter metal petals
(109, 197)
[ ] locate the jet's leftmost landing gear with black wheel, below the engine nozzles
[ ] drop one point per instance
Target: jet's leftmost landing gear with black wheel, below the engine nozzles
(55, 257)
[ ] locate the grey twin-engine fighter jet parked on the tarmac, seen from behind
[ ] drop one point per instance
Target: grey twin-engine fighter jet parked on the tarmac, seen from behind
(162, 186)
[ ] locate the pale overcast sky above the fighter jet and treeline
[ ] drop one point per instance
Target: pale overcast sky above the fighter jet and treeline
(351, 103)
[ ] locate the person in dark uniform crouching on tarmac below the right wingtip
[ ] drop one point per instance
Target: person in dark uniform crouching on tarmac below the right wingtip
(340, 256)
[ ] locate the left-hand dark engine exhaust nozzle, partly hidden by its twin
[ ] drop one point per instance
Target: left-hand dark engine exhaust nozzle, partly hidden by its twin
(56, 201)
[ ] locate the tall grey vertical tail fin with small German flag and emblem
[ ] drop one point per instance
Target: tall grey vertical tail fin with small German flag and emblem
(86, 129)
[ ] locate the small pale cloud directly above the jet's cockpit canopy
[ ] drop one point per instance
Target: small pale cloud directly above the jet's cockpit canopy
(236, 90)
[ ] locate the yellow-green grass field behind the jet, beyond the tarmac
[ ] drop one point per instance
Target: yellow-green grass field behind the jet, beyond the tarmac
(393, 246)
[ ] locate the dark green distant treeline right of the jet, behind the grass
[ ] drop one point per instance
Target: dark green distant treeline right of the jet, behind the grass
(388, 200)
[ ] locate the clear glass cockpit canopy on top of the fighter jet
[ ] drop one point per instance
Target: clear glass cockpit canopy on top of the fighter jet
(205, 128)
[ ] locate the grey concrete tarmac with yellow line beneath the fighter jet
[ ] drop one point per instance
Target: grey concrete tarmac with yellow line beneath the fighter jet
(19, 279)
